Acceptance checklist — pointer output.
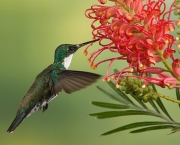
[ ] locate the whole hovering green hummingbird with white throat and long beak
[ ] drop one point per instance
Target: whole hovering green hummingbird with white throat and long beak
(51, 81)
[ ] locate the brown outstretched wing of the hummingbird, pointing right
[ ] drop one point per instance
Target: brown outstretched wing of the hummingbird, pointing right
(70, 81)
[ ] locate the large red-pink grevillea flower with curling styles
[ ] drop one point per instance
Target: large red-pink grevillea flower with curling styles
(140, 32)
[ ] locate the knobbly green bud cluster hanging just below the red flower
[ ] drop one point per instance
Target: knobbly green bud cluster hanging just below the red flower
(135, 87)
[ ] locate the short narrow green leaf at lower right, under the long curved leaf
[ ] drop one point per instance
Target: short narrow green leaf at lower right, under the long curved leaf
(153, 128)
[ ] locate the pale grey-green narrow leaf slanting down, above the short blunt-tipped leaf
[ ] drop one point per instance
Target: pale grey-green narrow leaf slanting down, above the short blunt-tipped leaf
(112, 94)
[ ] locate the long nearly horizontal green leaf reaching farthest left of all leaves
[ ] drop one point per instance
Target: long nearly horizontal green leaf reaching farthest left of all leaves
(110, 114)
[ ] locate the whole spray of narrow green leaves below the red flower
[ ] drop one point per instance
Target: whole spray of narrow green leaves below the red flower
(126, 106)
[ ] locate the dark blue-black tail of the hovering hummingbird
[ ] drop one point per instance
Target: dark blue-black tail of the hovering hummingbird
(16, 122)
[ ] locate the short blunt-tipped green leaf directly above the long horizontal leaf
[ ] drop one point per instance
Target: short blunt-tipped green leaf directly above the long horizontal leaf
(109, 105)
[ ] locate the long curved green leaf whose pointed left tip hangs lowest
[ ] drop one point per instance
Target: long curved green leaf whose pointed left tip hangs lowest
(135, 125)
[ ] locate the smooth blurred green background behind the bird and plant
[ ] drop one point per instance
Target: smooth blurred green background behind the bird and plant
(29, 33)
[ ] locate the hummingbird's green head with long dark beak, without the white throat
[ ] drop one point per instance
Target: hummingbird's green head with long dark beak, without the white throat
(65, 50)
